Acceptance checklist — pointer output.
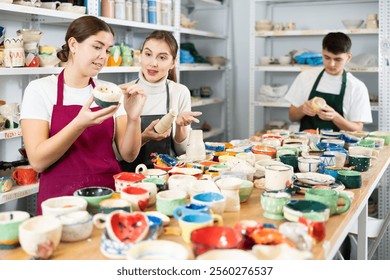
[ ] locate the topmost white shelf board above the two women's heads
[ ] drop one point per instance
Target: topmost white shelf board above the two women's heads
(63, 18)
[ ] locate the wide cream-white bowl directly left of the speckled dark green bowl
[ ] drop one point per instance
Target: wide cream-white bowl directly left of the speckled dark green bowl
(63, 204)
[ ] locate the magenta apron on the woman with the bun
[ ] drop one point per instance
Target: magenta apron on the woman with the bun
(90, 161)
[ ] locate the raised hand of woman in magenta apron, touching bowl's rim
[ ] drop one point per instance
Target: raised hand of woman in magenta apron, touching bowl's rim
(134, 100)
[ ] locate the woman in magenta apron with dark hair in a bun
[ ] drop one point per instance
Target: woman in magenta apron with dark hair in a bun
(68, 138)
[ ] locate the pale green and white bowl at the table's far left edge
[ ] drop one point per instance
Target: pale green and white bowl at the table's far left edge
(9, 228)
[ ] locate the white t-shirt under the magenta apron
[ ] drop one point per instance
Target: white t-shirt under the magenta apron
(41, 95)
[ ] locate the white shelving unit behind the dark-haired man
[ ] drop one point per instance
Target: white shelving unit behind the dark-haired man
(269, 43)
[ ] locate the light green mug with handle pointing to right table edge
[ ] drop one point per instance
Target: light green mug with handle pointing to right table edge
(329, 198)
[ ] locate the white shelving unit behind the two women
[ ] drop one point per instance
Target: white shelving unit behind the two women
(53, 23)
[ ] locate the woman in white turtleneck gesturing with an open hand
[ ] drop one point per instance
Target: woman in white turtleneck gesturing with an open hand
(158, 79)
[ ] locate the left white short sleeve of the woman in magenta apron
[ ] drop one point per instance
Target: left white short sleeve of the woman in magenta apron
(34, 105)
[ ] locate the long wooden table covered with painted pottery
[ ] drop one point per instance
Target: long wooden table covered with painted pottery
(337, 227)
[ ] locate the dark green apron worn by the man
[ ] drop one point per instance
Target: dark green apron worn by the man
(334, 101)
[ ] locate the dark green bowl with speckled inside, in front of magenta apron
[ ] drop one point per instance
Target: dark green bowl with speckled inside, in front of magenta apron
(93, 195)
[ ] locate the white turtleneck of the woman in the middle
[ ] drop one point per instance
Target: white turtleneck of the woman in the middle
(156, 103)
